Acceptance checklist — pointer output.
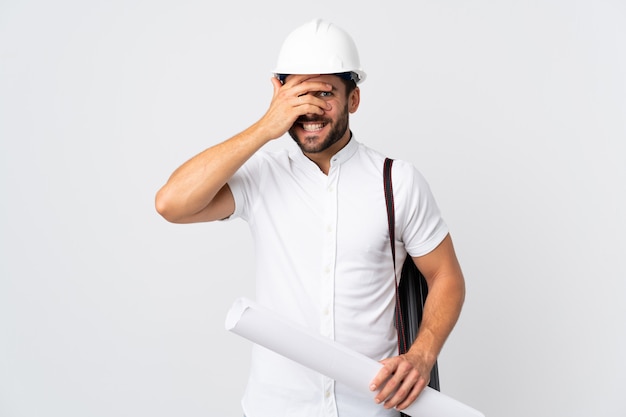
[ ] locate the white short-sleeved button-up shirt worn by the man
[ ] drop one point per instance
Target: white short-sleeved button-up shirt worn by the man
(323, 260)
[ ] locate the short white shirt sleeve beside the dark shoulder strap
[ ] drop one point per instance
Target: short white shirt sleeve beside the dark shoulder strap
(418, 218)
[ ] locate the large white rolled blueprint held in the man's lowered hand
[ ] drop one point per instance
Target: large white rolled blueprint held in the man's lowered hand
(268, 329)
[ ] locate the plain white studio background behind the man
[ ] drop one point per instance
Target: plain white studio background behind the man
(515, 111)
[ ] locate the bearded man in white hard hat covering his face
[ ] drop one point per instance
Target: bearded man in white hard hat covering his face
(317, 216)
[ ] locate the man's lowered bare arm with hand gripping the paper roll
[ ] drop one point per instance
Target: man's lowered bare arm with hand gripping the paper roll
(403, 377)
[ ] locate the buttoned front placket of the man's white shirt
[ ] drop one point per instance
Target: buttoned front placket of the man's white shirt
(327, 323)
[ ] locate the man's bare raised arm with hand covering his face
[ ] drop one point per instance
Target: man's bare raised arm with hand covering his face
(197, 190)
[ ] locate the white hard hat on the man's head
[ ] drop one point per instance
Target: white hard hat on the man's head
(319, 47)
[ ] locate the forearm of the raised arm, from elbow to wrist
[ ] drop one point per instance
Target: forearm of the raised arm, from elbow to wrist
(194, 185)
